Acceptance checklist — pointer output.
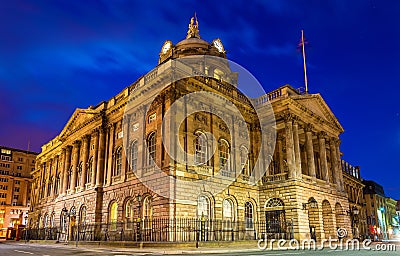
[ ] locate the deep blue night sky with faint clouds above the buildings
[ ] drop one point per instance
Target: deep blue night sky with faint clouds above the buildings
(56, 56)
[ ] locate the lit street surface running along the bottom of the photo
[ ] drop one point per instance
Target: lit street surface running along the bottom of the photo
(19, 248)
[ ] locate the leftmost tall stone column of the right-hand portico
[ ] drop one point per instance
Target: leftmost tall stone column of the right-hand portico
(290, 154)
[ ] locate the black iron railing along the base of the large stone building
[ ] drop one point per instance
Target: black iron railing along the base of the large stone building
(162, 230)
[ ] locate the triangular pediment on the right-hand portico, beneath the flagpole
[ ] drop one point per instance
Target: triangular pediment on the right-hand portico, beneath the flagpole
(316, 104)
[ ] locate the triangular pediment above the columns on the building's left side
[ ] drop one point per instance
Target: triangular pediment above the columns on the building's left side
(79, 119)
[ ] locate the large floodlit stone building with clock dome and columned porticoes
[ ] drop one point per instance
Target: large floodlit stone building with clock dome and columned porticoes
(98, 177)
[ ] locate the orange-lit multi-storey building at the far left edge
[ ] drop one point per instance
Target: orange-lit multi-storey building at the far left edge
(15, 188)
